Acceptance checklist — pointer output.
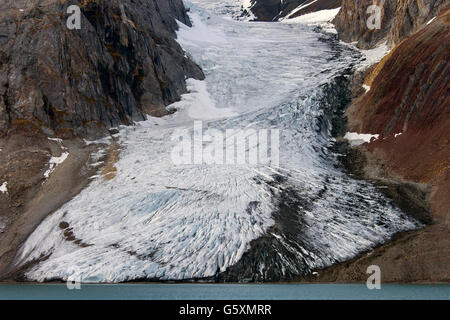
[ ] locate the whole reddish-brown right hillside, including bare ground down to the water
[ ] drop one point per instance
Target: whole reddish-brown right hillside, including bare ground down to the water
(408, 105)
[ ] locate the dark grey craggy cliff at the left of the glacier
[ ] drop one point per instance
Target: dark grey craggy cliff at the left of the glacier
(122, 64)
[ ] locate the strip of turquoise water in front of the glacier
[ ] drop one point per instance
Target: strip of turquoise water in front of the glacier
(224, 292)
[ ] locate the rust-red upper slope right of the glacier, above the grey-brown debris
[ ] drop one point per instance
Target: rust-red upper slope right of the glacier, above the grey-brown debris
(408, 105)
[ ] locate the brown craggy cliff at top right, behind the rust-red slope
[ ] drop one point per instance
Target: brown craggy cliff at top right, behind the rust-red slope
(399, 18)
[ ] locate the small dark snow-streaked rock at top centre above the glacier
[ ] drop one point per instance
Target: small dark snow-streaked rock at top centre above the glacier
(273, 10)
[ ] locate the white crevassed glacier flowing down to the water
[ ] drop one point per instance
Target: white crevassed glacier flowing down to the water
(163, 220)
